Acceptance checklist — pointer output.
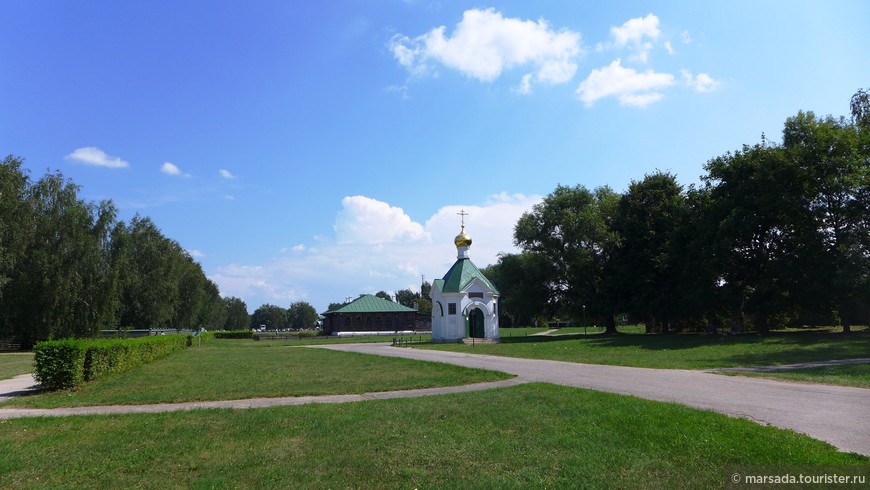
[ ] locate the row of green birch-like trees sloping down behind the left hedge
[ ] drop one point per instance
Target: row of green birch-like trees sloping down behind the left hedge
(68, 268)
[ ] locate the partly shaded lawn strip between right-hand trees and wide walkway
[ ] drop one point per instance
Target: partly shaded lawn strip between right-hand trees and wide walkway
(680, 351)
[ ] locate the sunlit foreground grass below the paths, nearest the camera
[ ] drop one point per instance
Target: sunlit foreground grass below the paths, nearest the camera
(533, 435)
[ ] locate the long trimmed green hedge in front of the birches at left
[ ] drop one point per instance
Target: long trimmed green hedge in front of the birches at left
(64, 364)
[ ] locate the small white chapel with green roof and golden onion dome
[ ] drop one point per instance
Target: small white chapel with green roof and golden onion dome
(464, 301)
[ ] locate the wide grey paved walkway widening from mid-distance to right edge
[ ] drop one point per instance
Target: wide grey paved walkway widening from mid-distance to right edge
(835, 414)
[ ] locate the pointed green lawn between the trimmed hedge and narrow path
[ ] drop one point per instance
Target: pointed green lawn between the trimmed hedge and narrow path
(239, 369)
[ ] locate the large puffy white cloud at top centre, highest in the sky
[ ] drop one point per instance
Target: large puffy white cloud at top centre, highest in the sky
(485, 43)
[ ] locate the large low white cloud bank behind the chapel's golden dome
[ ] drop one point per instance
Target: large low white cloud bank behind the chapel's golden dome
(376, 247)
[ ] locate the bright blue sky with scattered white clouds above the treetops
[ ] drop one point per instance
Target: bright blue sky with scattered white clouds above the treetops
(310, 151)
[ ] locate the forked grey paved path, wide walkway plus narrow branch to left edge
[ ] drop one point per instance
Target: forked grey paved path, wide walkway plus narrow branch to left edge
(838, 415)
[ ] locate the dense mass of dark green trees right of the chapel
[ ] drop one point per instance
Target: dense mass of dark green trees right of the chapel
(777, 234)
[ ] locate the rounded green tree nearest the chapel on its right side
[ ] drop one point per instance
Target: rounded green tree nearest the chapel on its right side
(572, 230)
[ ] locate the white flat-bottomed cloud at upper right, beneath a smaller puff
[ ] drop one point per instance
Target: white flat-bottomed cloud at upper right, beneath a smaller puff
(628, 85)
